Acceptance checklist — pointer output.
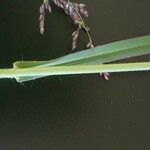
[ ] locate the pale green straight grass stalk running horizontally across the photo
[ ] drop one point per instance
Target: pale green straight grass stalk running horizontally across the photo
(66, 70)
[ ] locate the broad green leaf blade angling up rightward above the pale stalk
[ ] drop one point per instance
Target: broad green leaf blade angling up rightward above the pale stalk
(101, 54)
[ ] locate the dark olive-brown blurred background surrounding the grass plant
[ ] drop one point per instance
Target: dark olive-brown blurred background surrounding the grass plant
(75, 112)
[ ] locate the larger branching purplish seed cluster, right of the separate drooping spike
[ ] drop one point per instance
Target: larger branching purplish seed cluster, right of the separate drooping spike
(74, 10)
